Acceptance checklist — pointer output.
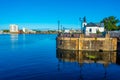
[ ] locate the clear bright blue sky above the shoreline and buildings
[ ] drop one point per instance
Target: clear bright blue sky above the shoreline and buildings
(44, 14)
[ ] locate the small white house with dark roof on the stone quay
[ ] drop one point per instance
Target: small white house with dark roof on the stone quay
(93, 28)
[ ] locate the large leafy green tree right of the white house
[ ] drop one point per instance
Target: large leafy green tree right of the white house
(110, 23)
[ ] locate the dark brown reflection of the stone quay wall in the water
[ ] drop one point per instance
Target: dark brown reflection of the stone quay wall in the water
(87, 57)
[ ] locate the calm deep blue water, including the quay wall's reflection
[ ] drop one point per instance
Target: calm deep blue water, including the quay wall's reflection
(34, 57)
